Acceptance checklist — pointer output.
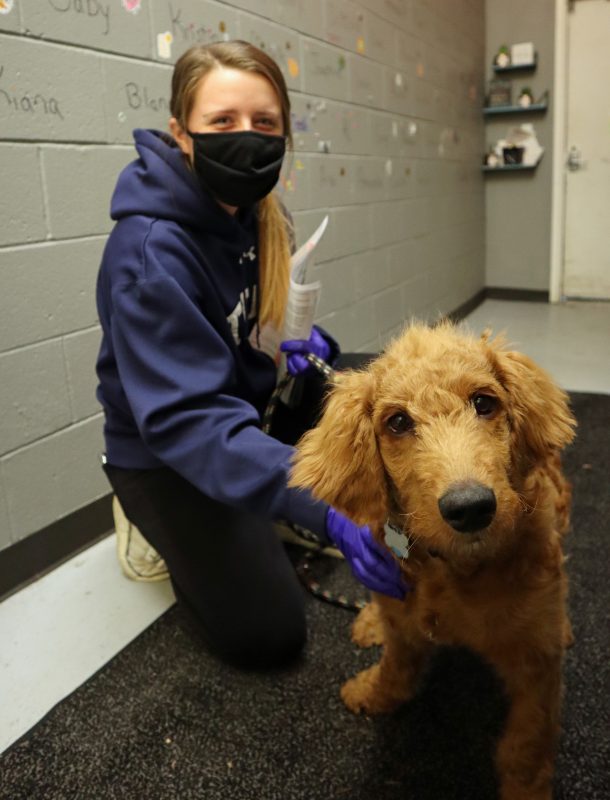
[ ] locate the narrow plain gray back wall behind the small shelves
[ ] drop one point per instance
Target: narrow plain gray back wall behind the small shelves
(517, 205)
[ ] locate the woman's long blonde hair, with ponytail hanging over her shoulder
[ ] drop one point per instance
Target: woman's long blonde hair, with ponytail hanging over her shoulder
(274, 241)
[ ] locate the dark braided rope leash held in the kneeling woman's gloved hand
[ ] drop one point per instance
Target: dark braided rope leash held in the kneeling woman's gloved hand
(305, 568)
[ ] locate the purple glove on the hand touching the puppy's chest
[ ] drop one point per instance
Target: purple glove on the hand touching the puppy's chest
(371, 563)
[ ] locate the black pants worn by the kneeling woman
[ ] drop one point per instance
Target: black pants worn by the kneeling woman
(228, 567)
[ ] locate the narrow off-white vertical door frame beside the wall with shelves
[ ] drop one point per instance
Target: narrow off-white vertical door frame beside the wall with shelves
(560, 121)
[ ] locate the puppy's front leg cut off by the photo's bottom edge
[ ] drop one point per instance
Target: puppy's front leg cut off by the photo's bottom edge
(526, 752)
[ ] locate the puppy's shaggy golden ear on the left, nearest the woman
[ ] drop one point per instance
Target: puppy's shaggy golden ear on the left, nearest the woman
(339, 460)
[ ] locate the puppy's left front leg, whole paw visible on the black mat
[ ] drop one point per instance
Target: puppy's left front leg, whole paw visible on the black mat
(384, 686)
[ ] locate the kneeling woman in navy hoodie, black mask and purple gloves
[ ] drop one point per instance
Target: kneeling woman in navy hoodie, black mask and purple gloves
(193, 280)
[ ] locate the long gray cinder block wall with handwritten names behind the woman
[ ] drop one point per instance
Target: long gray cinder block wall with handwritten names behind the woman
(388, 141)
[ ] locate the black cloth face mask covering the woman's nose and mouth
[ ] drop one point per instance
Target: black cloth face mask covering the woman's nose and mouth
(238, 168)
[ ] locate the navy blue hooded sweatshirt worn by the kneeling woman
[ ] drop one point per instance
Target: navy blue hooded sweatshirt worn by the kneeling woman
(182, 382)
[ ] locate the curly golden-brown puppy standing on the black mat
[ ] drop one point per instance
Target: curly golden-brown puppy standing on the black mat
(448, 447)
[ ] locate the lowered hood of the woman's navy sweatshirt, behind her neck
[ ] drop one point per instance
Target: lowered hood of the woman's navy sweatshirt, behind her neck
(159, 184)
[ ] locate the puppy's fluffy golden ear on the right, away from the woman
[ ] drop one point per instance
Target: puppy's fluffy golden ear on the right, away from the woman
(538, 409)
